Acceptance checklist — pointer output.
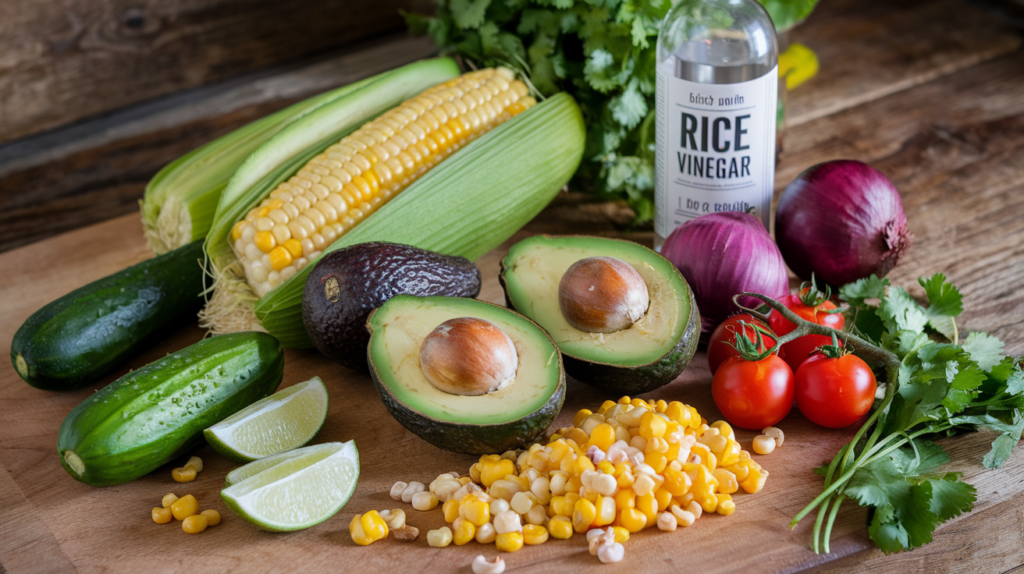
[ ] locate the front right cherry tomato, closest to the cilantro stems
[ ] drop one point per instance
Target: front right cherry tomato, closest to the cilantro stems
(835, 392)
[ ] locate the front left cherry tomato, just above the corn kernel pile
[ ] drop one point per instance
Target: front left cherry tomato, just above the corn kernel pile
(753, 394)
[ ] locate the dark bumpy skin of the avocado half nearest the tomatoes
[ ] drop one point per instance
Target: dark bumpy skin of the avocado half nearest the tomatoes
(631, 380)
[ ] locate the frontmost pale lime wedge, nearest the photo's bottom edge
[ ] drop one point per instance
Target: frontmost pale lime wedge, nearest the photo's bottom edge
(298, 492)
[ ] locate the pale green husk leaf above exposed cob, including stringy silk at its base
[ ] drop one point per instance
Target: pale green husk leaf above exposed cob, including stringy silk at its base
(231, 306)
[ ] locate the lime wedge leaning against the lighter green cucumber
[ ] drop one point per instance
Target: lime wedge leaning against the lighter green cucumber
(284, 421)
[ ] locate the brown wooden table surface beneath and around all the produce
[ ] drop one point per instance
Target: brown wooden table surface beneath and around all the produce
(932, 94)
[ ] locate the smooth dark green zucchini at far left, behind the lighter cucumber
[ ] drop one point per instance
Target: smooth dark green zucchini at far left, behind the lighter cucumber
(77, 339)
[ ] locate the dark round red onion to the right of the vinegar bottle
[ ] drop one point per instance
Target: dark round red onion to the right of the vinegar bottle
(842, 222)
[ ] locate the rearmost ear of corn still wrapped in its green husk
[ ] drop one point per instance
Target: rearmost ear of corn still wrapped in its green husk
(180, 202)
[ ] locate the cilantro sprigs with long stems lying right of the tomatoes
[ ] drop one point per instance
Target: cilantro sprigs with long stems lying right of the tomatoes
(937, 386)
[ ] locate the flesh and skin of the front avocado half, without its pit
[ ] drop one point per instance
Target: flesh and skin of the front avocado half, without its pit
(507, 419)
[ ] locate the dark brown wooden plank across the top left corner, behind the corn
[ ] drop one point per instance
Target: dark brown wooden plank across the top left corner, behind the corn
(62, 62)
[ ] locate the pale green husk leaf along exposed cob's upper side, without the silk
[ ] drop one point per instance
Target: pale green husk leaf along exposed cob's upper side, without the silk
(313, 134)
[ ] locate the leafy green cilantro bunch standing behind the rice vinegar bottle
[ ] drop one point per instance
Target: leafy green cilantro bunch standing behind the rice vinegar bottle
(601, 52)
